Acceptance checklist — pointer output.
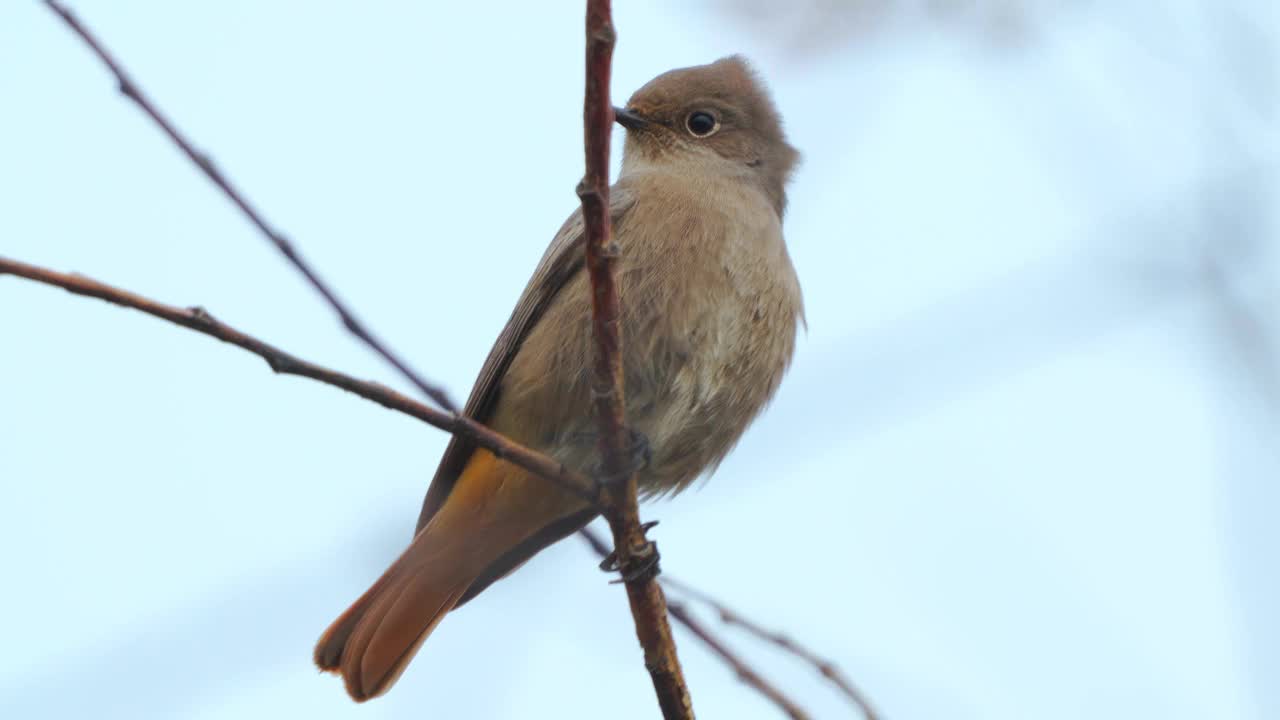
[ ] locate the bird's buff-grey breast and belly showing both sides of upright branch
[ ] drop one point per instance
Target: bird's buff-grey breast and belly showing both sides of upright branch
(710, 307)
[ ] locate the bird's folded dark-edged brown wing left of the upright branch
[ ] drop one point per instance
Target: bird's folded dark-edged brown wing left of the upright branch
(564, 259)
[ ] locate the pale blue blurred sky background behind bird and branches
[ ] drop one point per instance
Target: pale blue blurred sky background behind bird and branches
(1026, 464)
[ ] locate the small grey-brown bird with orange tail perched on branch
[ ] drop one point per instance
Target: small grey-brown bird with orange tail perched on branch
(710, 312)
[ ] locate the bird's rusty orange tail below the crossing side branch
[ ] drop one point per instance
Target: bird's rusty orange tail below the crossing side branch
(493, 508)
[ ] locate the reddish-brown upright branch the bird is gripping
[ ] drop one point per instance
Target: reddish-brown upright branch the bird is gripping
(636, 557)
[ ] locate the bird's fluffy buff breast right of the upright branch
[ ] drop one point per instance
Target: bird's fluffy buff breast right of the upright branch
(711, 304)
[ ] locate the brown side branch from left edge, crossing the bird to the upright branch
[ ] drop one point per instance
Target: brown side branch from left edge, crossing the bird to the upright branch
(286, 364)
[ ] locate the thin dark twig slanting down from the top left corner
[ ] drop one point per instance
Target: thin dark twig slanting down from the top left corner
(205, 163)
